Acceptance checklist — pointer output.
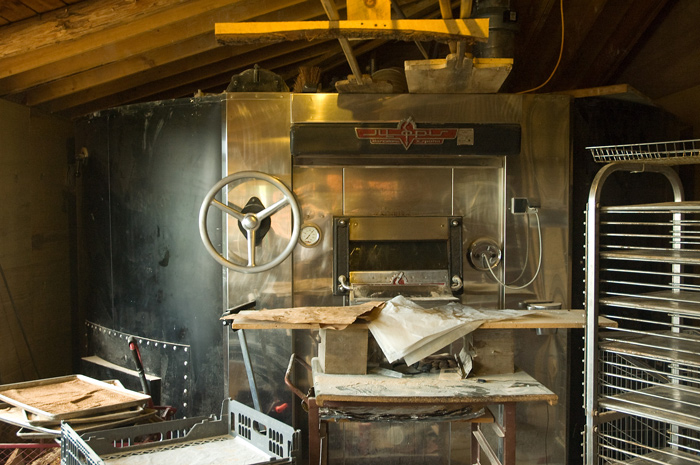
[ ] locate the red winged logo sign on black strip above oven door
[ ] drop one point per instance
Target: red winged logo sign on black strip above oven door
(406, 133)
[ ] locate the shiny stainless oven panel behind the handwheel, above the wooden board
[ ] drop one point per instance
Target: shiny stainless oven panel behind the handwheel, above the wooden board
(257, 132)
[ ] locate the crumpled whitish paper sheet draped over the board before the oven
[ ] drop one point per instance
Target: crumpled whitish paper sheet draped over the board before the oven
(404, 329)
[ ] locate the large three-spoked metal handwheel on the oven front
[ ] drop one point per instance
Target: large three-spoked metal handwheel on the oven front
(250, 221)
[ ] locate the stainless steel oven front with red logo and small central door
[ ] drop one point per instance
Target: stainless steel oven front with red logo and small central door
(399, 194)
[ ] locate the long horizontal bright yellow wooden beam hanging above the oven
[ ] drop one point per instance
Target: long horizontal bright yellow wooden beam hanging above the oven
(441, 30)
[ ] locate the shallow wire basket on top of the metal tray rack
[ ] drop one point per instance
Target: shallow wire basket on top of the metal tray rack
(671, 152)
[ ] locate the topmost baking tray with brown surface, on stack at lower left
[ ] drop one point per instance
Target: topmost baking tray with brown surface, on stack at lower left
(80, 396)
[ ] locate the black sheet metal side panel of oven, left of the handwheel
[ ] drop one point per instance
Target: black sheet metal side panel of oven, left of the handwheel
(161, 160)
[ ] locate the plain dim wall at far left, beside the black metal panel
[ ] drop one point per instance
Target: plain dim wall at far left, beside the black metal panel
(36, 212)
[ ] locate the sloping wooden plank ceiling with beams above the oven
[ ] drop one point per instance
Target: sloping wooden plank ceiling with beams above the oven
(73, 57)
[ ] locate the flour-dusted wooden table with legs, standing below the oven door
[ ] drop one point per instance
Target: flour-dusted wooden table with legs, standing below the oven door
(376, 393)
